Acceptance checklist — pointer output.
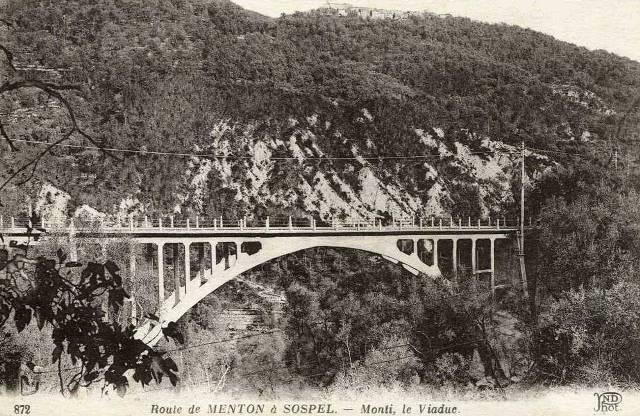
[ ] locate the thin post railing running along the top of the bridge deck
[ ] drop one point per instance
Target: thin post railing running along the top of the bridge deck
(246, 223)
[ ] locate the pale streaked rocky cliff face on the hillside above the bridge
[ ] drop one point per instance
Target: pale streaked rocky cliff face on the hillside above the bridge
(357, 188)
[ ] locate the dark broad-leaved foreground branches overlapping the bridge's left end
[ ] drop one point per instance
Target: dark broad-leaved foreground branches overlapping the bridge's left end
(68, 298)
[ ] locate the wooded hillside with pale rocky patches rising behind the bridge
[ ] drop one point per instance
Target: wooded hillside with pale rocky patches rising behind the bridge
(309, 113)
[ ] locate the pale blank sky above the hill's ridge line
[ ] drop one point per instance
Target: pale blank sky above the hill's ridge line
(613, 25)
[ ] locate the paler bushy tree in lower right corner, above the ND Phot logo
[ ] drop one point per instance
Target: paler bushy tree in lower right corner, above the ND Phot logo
(589, 336)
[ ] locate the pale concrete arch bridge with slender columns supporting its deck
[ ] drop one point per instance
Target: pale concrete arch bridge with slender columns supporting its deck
(173, 266)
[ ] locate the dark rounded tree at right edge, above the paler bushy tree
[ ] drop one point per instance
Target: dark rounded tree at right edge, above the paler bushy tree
(587, 242)
